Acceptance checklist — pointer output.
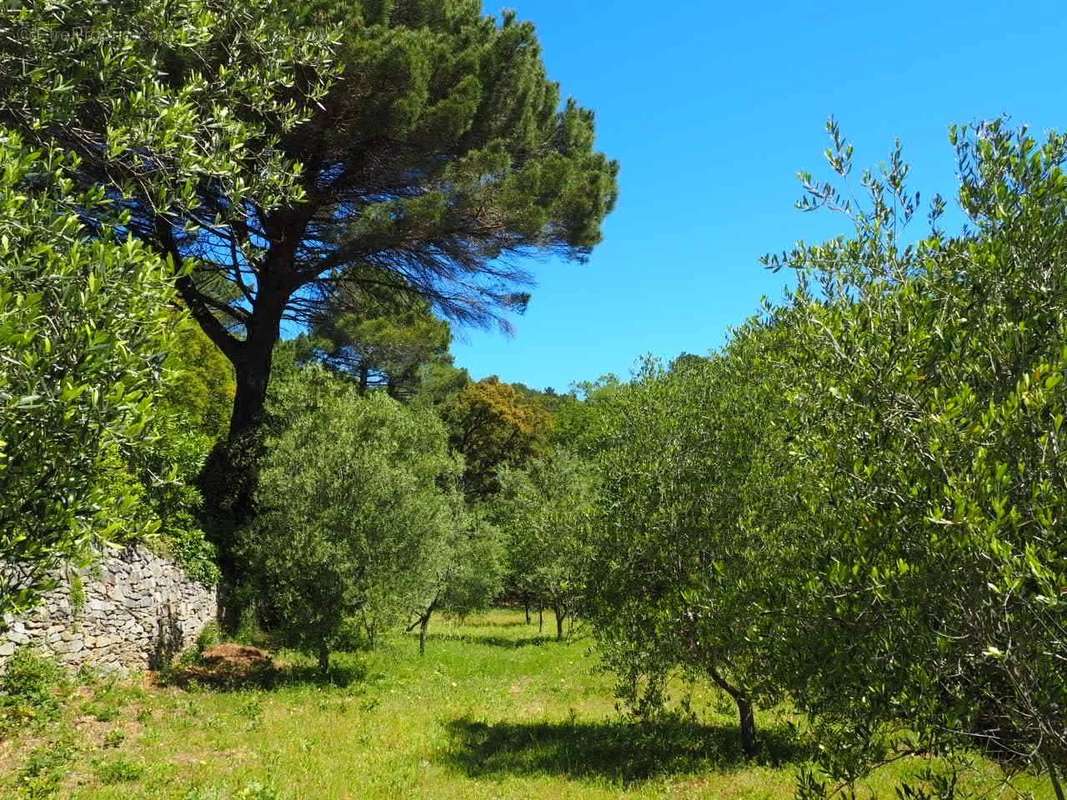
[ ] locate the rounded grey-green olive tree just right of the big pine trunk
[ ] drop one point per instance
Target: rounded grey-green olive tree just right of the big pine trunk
(354, 513)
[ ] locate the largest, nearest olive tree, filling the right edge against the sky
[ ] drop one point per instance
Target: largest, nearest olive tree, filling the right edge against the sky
(919, 469)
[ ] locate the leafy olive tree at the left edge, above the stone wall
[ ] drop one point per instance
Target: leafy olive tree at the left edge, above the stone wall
(85, 325)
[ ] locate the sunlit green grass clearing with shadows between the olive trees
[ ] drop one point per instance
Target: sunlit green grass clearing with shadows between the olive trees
(492, 711)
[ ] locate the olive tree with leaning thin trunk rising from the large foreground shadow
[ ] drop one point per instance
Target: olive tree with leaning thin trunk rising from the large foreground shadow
(674, 580)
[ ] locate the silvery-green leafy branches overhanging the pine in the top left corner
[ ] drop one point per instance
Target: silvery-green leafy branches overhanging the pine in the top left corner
(158, 98)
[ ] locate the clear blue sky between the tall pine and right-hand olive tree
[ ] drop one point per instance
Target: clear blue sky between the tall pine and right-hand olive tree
(712, 108)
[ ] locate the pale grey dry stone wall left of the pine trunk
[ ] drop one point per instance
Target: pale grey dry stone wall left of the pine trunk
(133, 611)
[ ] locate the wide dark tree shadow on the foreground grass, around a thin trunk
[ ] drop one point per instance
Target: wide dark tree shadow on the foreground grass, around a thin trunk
(615, 750)
